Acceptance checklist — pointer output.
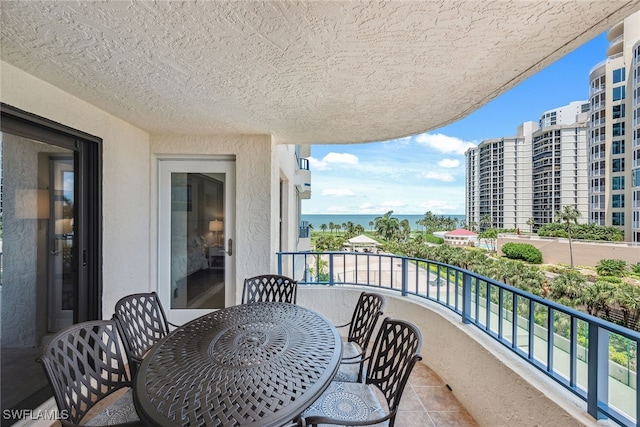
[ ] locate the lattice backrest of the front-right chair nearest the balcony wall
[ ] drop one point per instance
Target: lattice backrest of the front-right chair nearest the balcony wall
(394, 354)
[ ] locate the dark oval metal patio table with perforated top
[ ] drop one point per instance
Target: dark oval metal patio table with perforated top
(259, 364)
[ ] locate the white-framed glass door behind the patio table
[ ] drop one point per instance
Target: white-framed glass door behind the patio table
(194, 248)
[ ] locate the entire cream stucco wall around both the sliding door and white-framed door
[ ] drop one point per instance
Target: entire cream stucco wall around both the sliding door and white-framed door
(130, 158)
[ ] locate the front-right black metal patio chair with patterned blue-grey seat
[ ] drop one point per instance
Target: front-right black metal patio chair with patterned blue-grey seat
(395, 352)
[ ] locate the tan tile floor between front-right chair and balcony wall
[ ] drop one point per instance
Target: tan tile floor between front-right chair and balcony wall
(427, 402)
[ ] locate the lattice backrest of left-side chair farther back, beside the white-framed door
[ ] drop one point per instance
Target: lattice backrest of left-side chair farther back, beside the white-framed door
(142, 323)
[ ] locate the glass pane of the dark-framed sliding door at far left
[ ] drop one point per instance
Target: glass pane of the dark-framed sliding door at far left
(38, 279)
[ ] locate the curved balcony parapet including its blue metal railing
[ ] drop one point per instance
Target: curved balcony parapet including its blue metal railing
(489, 354)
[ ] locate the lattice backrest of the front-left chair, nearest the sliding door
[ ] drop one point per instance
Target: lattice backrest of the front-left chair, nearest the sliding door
(84, 363)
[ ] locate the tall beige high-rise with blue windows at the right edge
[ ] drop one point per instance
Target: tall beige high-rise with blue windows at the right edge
(614, 140)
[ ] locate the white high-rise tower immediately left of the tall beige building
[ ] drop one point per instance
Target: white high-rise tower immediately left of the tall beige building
(559, 174)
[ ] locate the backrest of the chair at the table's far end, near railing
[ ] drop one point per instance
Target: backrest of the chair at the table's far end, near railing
(269, 288)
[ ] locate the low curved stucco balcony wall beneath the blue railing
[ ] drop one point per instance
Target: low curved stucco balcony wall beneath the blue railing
(498, 388)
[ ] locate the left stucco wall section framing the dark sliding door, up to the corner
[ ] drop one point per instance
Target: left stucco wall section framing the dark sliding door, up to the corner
(125, 178)
